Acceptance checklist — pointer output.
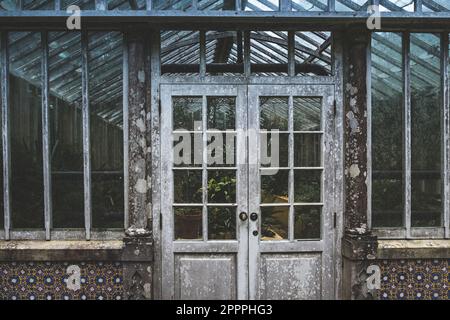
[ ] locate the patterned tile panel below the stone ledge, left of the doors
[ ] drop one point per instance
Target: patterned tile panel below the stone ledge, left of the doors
(48, 281)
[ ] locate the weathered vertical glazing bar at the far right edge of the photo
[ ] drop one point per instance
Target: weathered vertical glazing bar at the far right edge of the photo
(445, 118)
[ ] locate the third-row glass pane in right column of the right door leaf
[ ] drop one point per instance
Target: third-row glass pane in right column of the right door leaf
(307, 185)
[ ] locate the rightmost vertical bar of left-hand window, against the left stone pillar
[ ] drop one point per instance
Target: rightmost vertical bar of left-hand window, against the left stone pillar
(125, 127)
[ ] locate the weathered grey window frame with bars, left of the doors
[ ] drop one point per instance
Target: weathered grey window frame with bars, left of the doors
(48, 233)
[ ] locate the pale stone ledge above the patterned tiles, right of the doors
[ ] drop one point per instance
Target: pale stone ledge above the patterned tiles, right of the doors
(413, 249)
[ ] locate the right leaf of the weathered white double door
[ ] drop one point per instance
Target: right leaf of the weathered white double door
(290, 239)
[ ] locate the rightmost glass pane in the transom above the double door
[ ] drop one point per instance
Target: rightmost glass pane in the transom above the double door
(313, 53)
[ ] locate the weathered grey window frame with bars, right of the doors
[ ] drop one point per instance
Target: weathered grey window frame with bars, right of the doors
(407, 231)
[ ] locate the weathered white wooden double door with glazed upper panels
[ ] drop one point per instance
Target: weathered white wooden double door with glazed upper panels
(246, 192)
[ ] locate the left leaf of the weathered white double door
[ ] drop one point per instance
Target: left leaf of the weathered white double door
(204, 243)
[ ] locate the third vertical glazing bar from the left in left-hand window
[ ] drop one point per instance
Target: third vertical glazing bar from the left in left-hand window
(86, 133)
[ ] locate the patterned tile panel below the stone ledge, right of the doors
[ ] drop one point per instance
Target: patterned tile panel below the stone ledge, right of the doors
(414, 279)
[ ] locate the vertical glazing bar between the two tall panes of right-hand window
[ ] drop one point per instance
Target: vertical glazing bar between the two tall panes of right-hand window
(407, 131)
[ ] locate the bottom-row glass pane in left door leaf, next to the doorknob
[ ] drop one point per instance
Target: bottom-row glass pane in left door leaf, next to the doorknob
(221, 223)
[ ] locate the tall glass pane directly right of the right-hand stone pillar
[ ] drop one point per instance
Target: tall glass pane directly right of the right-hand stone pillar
(387, 130)
